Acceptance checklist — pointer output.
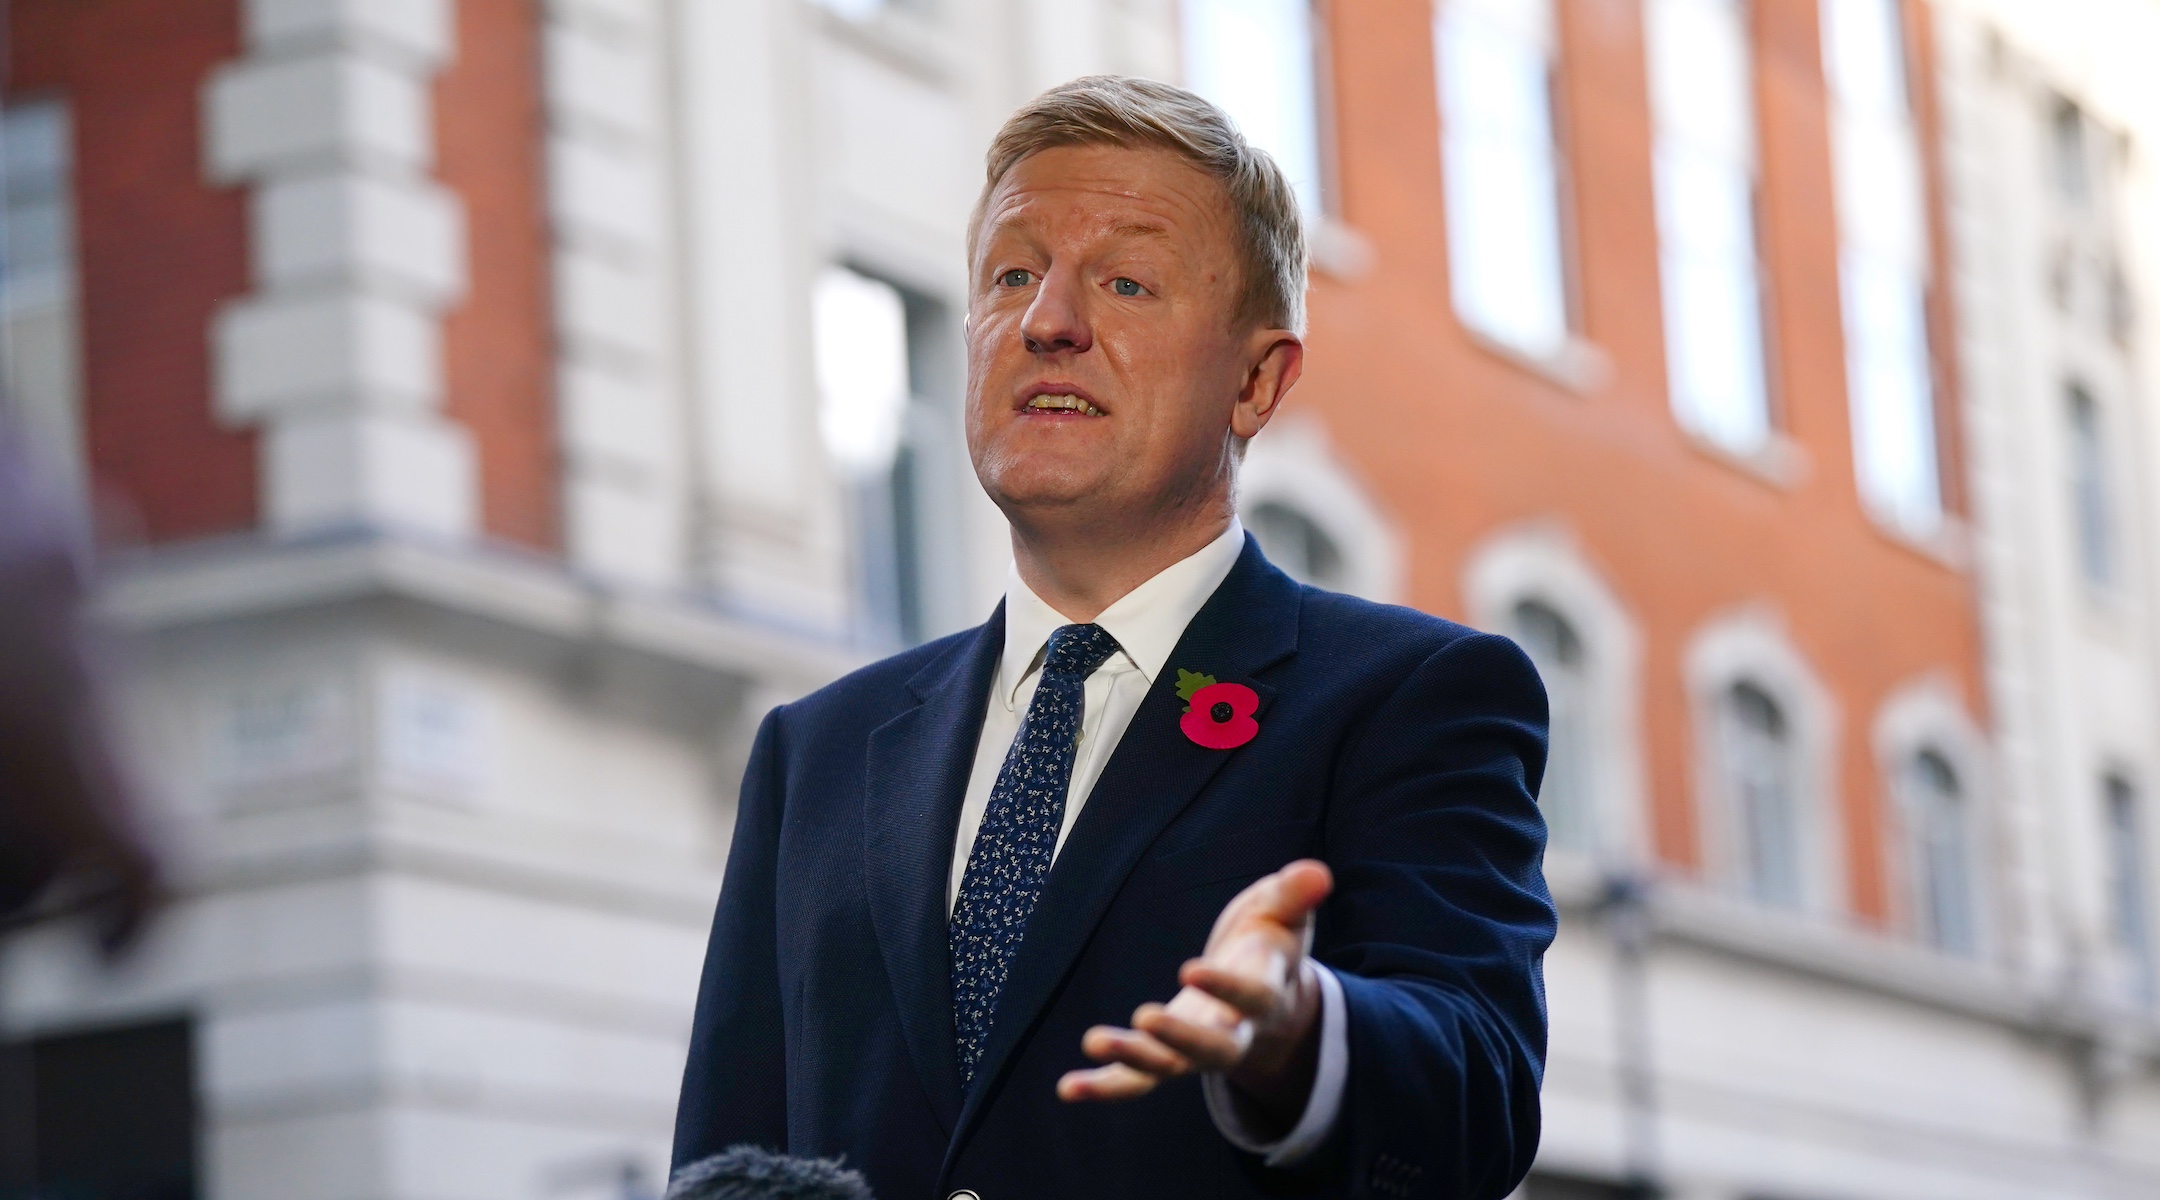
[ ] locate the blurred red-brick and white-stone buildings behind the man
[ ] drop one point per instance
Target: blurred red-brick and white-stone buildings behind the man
(517, 400)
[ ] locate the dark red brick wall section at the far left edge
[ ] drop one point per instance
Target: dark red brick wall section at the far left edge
(159, 247)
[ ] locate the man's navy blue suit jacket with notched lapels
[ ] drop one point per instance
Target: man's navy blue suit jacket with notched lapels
(1399, 748)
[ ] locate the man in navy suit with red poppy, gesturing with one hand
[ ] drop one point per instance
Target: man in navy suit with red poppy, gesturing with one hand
(1159, 767)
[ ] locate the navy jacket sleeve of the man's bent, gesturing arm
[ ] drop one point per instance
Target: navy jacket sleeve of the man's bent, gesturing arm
(1437, 929)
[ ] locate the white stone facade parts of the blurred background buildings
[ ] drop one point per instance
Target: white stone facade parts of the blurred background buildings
(448, 821)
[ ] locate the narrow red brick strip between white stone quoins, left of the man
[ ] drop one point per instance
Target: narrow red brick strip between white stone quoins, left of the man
(500, 342)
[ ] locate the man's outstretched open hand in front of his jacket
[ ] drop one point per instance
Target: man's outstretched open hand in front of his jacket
(1250, 1009)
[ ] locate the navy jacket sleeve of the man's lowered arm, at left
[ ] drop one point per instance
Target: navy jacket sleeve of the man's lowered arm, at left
(735, 1082)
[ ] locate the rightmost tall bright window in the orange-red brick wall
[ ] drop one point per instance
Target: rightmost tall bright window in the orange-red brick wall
(1882, 264)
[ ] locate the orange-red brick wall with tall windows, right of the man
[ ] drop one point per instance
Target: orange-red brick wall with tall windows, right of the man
(1461, 441)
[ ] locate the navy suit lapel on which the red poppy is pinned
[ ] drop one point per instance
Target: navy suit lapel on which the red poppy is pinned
(1250, 625)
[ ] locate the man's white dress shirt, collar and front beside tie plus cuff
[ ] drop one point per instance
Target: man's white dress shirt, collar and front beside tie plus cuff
(1146, 625)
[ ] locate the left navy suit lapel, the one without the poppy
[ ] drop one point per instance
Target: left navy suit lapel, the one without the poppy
(917, 780)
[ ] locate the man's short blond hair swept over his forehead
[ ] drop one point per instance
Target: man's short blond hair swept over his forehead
(1144, 113)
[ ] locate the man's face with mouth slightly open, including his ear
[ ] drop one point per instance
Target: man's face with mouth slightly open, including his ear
(1107, 362)
